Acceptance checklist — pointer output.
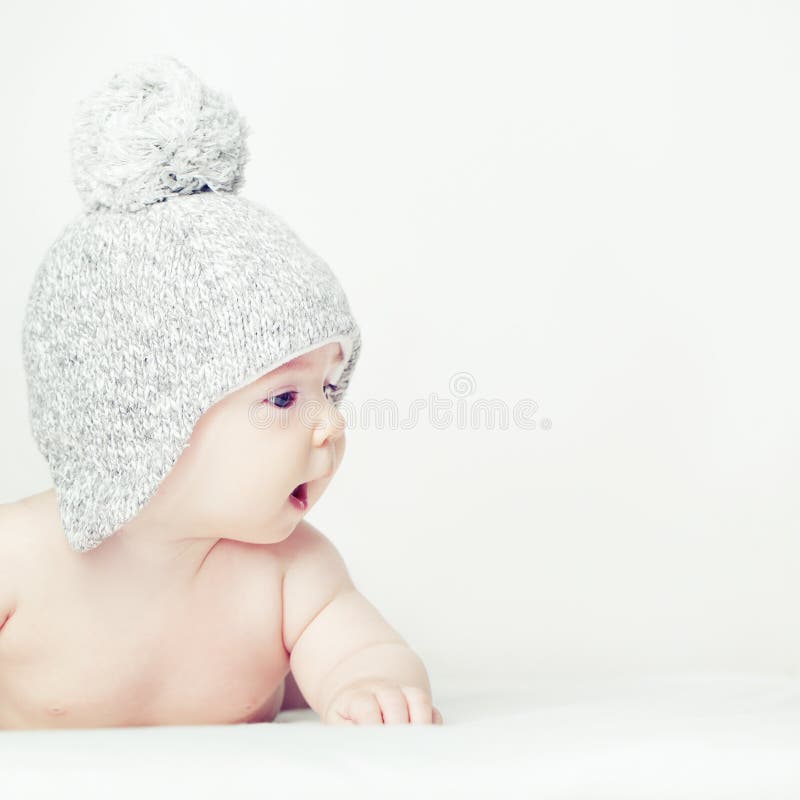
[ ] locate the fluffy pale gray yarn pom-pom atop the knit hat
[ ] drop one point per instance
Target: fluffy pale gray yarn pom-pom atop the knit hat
(153, 131)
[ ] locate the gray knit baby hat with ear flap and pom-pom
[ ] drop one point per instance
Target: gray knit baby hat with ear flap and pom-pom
(167, 293)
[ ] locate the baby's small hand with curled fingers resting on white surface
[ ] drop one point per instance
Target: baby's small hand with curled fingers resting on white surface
(382, 703)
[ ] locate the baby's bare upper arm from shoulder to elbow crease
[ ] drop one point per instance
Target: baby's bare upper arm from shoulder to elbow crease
(314, 573)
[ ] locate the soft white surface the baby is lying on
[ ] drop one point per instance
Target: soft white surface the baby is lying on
(669, 736)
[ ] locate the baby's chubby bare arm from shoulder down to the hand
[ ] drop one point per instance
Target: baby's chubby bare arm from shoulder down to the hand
(339, 642)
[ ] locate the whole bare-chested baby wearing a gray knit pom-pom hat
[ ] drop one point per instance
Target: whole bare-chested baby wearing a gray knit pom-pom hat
(186, 357)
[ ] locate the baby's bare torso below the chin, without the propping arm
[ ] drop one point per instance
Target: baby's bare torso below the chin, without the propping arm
(88, 648)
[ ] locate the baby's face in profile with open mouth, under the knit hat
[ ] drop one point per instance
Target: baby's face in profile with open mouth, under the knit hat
(250, 450)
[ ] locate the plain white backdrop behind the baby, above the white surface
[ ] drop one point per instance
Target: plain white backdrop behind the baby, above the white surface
(593, 206)
